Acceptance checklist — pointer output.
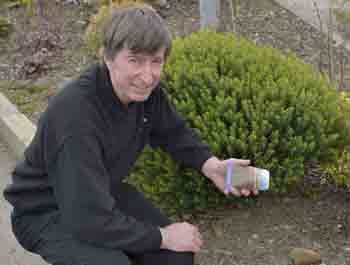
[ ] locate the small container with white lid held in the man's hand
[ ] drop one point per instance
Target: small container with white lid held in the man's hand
(246, 176)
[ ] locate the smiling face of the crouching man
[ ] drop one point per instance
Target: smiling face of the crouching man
(135, 75)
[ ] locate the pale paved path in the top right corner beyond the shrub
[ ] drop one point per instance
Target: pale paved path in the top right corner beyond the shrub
(306, 10)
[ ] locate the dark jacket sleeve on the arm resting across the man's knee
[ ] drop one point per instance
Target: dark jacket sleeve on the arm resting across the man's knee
(82, 188)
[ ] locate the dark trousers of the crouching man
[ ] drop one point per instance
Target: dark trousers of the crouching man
(60, 248)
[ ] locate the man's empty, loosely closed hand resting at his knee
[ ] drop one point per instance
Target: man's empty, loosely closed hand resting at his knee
(181, 237)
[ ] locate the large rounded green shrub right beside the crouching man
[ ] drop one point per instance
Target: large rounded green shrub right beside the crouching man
(245, 102)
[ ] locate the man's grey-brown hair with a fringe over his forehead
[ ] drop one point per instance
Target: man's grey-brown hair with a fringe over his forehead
(138, 28)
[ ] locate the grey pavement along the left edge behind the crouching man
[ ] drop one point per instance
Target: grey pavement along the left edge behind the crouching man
(10, 252)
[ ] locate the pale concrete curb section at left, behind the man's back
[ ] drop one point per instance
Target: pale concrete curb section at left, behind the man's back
(16, 129)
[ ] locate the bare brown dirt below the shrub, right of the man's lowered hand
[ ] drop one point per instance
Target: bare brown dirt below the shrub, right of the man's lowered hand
(264, 233)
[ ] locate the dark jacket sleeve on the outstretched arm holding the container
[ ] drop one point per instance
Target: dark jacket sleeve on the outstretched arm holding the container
(169, 132)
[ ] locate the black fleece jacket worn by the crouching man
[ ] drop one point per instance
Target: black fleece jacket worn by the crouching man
(85, 144)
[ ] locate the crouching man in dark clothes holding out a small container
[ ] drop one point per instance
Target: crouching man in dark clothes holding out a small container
(70, 203)
